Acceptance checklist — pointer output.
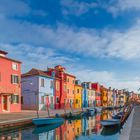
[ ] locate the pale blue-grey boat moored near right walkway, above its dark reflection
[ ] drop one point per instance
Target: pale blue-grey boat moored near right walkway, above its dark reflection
(111, 122)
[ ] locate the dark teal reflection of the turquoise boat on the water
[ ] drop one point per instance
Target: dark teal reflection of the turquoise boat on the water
(46, 128)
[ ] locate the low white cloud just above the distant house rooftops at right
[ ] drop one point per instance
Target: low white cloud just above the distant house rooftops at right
(107, 79)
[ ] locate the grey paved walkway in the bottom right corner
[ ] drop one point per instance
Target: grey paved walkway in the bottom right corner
(135, 130)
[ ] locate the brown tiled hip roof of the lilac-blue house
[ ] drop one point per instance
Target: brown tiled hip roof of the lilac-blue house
(36, 72)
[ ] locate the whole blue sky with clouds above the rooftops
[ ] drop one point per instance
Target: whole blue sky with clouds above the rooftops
(97, 40)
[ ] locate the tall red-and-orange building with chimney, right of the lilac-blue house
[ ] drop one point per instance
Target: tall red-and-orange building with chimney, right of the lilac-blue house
(64, 87)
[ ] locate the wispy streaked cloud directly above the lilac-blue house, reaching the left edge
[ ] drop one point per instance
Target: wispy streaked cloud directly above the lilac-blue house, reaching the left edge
(38, 57)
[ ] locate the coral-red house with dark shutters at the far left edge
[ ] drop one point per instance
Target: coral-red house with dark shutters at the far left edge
(10, 90)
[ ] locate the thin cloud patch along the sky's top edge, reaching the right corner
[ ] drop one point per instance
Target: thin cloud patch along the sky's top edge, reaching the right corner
(116, 7)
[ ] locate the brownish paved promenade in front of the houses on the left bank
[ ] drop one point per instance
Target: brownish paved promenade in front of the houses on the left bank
(8, 120)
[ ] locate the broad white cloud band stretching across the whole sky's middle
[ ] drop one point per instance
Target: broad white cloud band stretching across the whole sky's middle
(89, 42)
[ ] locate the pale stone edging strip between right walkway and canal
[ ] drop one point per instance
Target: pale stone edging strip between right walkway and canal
(125, 132)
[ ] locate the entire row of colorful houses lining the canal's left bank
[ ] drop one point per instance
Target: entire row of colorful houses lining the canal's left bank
(51, 88)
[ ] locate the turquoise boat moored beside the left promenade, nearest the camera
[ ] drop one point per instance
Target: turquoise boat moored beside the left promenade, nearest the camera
(46, 121)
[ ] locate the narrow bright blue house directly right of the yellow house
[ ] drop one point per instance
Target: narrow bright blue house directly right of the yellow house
(85, 95)
